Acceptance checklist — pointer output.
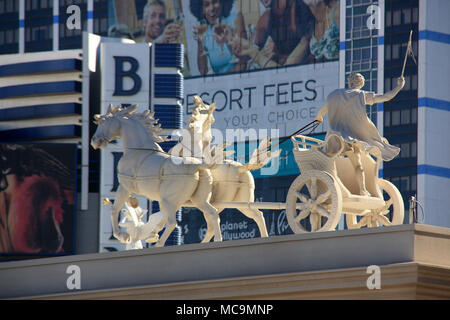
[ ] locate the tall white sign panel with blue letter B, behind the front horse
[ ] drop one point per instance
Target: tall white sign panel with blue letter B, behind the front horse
(125, 80)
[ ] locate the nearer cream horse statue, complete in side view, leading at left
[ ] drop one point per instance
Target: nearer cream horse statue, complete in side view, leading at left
(146, 170)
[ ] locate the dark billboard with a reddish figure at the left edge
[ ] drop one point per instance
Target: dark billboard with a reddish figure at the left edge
(37, 198)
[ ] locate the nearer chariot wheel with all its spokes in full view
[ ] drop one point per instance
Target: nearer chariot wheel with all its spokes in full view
(313, 202)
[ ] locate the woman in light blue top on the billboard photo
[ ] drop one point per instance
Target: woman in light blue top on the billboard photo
(218, 21)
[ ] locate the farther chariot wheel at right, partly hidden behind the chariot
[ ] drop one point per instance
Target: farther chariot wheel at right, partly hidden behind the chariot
(390, 214)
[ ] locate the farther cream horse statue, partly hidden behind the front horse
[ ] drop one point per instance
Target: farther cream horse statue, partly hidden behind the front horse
(233, 181)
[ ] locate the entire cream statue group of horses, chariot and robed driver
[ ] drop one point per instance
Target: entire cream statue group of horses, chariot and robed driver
(195, 173)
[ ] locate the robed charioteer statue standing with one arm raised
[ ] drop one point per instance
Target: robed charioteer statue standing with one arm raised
(347, 118)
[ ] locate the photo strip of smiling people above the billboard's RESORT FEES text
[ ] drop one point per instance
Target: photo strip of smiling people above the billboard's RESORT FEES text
(226, 36)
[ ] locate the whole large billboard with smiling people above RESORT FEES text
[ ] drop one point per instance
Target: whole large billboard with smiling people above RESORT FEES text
(265, 63)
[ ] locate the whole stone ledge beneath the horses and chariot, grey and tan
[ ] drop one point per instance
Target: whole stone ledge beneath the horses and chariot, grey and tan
(413, 261)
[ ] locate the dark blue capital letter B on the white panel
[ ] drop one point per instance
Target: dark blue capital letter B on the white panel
(121, 74)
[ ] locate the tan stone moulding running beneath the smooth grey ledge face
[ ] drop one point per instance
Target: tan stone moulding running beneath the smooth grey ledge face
(399, 277)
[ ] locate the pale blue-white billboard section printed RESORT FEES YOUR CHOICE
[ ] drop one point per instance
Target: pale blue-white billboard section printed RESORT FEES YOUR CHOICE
(286, 99)
